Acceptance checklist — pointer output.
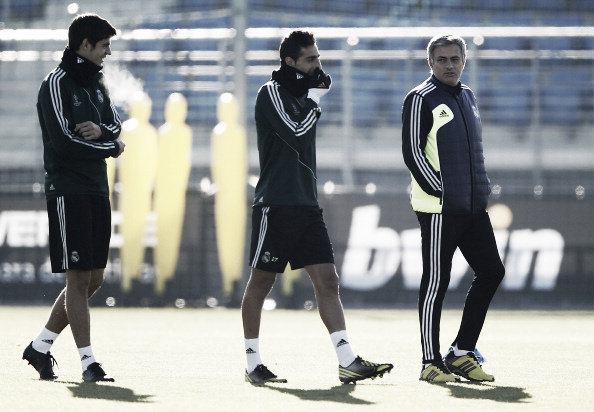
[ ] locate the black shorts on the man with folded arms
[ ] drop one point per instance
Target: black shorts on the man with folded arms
(79, 232)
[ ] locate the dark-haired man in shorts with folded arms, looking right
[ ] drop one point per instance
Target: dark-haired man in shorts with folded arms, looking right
(80, 129)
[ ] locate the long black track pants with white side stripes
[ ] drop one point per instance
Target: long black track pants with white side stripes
(441, 235)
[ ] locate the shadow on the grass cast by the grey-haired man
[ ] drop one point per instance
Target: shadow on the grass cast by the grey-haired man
(477, 390)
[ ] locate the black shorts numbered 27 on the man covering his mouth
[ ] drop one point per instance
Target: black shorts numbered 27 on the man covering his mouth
(293, 234)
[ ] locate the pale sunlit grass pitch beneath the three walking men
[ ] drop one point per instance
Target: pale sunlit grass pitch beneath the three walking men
(176, 360)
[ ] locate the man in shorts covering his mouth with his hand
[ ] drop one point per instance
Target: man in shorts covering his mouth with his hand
(287, 222)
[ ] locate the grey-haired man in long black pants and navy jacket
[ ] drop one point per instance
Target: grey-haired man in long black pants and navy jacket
(442, 147)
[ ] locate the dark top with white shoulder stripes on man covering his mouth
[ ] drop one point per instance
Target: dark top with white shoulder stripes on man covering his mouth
(286, 125)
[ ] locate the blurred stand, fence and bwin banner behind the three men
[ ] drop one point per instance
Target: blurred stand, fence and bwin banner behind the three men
(530, 64)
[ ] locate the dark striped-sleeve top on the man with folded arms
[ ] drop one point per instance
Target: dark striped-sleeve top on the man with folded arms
(75, 92)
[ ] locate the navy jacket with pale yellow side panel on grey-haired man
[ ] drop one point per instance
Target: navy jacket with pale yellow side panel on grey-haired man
(443, 149)
